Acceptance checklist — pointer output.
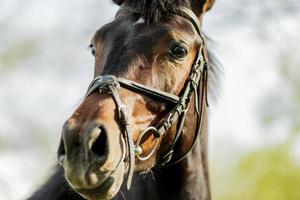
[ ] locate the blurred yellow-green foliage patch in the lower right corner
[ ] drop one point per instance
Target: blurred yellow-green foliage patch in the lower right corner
(266, 174)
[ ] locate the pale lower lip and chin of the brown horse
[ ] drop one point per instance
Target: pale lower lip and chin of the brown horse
(108, 189)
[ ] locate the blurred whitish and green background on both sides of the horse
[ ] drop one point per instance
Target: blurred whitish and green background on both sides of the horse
(45, 68)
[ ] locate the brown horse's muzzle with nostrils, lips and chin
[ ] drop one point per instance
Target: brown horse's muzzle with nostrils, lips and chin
(93, 161)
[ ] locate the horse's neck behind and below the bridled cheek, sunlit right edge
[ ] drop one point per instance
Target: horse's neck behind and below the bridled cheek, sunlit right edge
(188, 179)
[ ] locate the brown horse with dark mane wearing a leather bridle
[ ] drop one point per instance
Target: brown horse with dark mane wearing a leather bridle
(141, 130)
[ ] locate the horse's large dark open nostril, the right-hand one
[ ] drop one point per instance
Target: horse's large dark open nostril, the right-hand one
(98, 143)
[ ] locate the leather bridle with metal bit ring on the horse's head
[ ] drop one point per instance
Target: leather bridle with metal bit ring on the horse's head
(195, 83)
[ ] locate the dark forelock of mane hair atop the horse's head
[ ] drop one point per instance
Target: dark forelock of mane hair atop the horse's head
(153, 10)
